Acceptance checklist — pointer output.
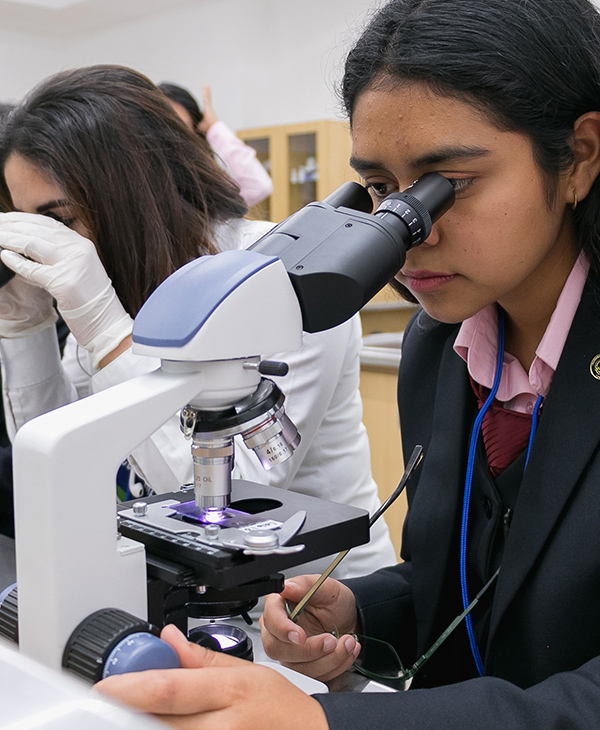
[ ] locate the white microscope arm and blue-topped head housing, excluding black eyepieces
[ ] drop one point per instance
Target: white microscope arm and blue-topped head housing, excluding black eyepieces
(218, 315)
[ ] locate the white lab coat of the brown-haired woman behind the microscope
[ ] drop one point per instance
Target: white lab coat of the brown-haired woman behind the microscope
(322, 399)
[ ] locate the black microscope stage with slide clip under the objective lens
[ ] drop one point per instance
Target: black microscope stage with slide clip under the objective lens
(169, 533)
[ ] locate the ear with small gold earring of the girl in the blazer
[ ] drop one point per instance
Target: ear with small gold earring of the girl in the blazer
(586, 150)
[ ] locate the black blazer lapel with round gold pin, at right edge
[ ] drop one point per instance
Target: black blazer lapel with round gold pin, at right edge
(563, 445)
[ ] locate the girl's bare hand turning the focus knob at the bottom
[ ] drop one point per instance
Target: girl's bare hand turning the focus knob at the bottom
(213, 690)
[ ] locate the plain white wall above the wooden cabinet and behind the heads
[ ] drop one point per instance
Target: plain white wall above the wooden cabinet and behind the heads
(268, 61)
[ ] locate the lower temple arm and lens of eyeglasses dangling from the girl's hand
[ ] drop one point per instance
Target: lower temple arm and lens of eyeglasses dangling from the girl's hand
(383, 657)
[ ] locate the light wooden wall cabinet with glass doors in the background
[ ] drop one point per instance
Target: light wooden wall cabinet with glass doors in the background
(306, 162)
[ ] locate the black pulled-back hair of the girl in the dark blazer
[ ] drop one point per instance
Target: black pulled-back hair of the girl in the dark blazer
(534, 65)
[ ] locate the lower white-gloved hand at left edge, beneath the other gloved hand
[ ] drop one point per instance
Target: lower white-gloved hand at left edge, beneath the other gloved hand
(24, 309)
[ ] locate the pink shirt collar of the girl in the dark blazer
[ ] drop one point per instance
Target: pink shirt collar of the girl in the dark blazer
(477, 344)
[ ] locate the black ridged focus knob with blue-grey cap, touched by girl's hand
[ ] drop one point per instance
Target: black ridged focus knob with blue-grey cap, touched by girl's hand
(111, 641)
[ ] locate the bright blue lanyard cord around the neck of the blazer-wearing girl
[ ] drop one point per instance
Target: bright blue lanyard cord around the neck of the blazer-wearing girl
(469, 482)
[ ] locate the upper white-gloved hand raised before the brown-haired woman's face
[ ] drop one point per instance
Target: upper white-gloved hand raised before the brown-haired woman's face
(67, 266)
